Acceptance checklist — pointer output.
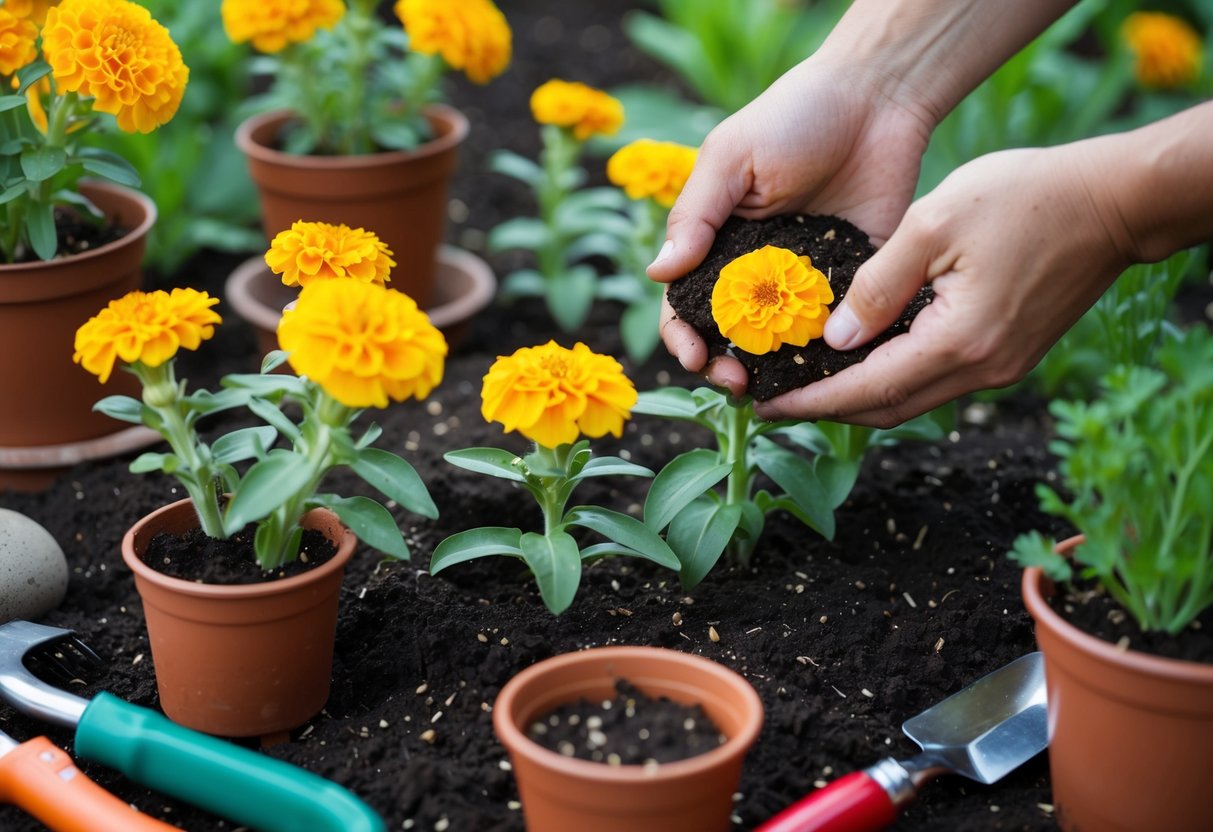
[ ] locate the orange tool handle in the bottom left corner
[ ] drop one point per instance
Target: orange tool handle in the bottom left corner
(42, 779)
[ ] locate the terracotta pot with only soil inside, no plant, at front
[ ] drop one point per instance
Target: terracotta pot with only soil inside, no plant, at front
(561, 794)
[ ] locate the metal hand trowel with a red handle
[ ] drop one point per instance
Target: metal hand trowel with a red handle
(983, 733)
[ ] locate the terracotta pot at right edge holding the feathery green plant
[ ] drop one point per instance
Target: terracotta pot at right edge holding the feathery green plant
(1131, 736)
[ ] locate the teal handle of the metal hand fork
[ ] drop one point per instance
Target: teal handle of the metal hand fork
(238, 784)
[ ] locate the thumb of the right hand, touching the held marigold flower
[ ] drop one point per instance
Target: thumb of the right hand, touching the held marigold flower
(880, 292)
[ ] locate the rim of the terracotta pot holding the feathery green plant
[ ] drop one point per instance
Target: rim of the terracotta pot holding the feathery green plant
(1035, 586)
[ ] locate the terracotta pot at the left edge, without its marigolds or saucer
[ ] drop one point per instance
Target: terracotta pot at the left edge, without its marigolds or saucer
(45, 398)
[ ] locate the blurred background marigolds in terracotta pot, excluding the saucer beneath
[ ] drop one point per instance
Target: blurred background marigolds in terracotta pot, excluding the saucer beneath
(355, 132)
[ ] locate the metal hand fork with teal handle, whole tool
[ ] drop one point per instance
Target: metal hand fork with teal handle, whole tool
(232, 782)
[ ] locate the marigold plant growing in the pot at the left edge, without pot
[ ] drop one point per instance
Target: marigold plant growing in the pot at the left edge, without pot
(66, 65)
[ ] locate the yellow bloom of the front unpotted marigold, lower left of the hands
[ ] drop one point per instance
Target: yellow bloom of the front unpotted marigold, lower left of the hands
(551, 395)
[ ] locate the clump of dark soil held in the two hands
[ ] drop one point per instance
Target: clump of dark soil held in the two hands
(835, 247)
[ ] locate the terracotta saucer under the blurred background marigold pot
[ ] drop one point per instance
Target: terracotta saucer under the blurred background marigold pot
(465, 287)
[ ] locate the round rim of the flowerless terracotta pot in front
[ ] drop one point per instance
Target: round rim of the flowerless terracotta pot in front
(517, 743)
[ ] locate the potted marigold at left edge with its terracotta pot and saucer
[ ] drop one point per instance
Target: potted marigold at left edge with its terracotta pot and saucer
(70, 242)
